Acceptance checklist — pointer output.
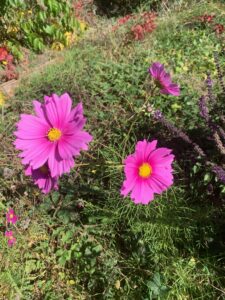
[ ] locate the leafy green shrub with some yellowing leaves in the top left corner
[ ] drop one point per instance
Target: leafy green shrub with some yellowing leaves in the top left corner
(36, 24)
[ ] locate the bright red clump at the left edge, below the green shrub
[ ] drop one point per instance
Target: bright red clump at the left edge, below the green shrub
(6, 59)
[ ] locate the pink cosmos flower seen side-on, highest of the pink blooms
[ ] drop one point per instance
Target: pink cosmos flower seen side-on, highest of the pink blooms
(163, 80)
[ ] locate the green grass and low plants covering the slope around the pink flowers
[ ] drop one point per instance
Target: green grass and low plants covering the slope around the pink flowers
(86, 242)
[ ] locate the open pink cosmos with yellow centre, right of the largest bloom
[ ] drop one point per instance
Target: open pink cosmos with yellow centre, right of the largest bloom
(147, 171)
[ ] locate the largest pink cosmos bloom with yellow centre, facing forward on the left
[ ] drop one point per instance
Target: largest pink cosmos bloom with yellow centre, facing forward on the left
(53, 136)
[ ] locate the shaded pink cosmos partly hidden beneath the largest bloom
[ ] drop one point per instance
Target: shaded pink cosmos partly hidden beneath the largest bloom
(42, 178)
